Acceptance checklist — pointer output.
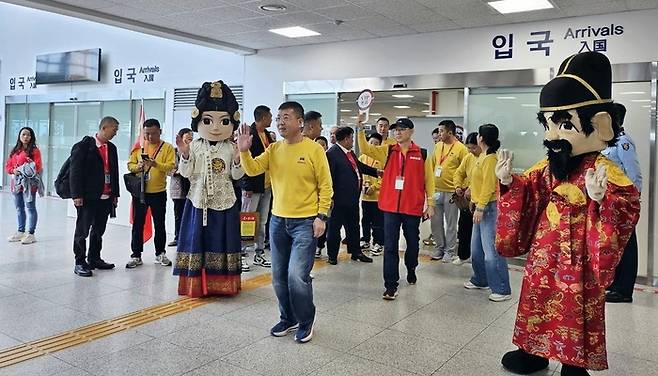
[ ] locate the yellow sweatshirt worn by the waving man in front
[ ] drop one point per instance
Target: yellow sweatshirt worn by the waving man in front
(301, 181)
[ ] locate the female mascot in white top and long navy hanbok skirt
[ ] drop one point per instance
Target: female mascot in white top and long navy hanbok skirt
(208, 259)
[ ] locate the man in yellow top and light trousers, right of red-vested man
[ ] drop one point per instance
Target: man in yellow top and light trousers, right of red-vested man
(448, 155)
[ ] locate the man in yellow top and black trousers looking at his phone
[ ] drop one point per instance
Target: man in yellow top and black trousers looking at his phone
(154, 160)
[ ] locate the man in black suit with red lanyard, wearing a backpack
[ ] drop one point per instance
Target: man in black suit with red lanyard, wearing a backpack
(94, 183)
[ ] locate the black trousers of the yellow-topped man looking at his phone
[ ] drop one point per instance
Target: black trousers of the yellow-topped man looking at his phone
(158, 204)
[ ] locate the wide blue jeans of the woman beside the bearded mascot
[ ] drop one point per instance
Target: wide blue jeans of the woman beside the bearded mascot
(489, 268)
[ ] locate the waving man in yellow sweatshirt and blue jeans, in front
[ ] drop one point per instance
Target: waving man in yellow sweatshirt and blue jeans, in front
(302, 190)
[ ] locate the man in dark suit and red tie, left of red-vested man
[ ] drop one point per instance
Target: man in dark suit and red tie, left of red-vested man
(346, 174)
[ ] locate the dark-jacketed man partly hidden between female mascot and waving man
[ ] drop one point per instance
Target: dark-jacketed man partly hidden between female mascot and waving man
(257, 195)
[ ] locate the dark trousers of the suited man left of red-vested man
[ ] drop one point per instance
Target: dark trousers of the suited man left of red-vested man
(347, 216)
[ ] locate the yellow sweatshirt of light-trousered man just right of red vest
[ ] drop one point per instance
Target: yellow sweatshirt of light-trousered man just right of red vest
(446, 159)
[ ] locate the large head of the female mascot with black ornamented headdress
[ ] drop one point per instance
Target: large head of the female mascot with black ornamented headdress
(215, 115)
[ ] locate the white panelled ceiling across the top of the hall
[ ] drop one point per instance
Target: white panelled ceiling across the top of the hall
(240, 23)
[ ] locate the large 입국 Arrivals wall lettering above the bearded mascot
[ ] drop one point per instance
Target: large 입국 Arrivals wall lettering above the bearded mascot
(583, 39)
